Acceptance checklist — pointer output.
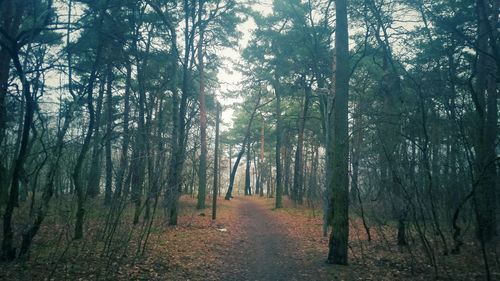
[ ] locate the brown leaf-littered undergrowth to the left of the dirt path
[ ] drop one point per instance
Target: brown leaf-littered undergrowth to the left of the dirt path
(192, 250)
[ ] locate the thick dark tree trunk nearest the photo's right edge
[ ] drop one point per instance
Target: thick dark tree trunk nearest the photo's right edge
(485, 97)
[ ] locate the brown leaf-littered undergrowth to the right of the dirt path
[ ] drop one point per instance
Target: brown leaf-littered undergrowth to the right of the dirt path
(380, 259)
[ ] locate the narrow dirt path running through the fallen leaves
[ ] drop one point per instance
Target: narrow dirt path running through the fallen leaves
(264, 251)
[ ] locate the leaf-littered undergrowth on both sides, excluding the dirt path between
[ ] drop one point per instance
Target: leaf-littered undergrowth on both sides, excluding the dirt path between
(202, 249)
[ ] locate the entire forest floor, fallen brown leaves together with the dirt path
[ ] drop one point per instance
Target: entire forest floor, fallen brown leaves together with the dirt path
(250, 240)
